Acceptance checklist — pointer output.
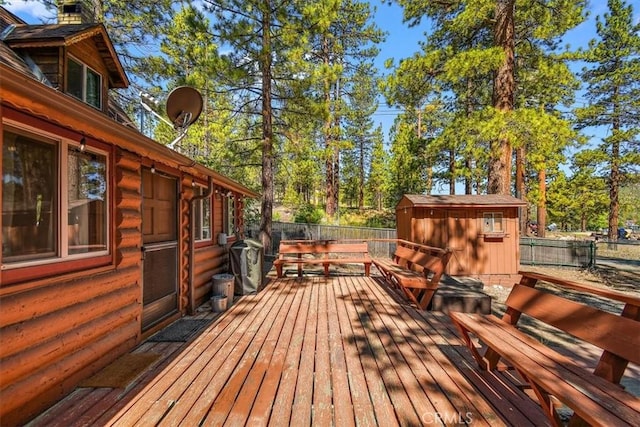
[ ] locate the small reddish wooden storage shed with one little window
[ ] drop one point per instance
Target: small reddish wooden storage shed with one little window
(483, 231)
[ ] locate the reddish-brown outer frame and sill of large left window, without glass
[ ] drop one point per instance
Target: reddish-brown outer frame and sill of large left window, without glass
(62, 260)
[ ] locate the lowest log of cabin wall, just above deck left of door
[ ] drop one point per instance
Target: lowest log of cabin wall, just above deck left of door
(24, 399)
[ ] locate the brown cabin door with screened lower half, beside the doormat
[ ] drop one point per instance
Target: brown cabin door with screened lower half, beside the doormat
(160, 247)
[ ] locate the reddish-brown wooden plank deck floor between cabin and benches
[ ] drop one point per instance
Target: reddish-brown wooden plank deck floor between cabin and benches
(339, 350)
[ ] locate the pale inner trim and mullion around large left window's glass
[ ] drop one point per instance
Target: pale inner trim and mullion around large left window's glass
(62, 245)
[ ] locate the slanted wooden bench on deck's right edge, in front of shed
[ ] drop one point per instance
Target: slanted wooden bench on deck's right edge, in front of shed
(415, 270)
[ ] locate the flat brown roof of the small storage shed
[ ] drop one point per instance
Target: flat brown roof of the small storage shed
(463, 200)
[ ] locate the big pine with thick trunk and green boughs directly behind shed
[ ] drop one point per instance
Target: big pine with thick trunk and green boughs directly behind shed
(474, 47)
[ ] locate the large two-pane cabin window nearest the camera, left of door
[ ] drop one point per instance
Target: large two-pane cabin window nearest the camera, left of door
(54, 200)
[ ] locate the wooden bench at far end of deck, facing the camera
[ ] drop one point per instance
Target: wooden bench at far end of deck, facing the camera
(322, 252)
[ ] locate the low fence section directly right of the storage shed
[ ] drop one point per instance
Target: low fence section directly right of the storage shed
(562, 253)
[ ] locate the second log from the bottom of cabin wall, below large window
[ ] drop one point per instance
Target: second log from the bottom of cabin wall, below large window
(20, 365)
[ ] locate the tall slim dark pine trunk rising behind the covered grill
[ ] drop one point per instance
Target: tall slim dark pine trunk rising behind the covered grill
(267, 130)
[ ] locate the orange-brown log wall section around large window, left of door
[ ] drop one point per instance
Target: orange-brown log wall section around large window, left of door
(58, 331)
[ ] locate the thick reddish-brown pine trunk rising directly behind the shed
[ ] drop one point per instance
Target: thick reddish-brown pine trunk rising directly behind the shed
(499, 180)
